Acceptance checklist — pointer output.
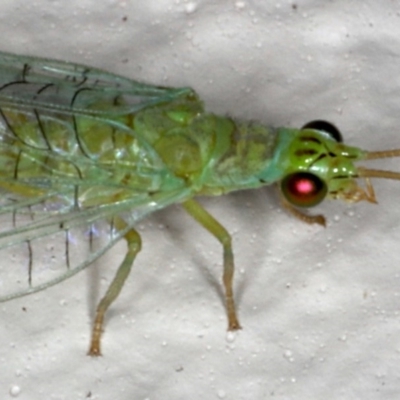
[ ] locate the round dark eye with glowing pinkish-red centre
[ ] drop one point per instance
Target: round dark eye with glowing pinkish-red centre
(303, 189)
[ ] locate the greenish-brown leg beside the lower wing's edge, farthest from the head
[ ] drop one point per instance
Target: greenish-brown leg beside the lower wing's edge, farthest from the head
(134, 243)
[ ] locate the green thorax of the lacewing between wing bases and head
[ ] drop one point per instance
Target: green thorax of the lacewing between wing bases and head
(212, 154)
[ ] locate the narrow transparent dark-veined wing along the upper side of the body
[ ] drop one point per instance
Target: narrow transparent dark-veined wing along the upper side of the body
(73, 88)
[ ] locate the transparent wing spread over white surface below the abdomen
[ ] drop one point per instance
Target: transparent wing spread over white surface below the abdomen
(41, 247)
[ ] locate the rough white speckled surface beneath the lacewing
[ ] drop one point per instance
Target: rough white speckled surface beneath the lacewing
(319, 307)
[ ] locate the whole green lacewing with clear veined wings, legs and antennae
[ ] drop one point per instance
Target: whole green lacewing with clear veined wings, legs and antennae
(79, 145)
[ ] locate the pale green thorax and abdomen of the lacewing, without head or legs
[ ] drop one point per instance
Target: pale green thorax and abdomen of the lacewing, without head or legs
(152, 153)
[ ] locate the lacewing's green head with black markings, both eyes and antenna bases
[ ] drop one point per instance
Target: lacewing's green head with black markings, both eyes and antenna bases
(320, 166)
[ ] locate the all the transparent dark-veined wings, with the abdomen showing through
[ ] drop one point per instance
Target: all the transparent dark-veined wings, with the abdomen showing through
(50, 178)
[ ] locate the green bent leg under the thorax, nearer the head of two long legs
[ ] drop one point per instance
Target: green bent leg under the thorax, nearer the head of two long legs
(220, 233)
